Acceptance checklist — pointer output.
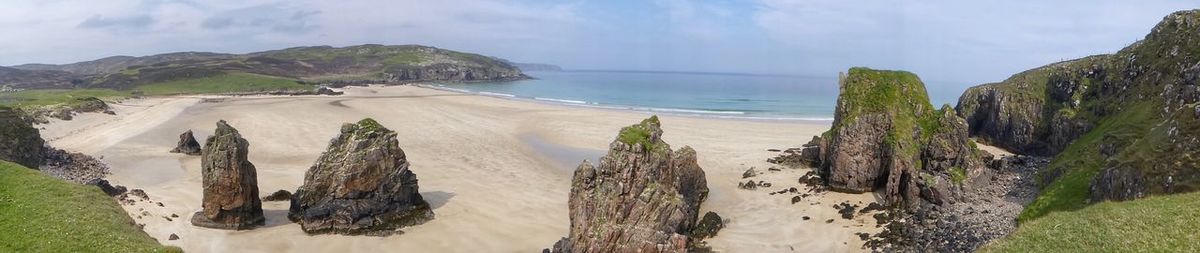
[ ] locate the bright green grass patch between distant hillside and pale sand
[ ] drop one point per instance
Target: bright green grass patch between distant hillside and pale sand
(224, 85)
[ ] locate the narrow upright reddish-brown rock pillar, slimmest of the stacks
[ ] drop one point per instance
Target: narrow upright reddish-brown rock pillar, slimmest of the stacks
(231, 184)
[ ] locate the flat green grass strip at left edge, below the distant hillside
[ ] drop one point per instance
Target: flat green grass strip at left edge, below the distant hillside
(28, 99)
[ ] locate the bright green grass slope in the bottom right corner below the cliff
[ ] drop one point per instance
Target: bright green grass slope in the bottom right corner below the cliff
(1165, 224)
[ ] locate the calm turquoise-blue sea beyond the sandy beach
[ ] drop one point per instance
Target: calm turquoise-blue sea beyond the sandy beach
(713, 95)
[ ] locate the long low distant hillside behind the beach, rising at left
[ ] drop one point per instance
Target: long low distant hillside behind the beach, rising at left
(349, 65)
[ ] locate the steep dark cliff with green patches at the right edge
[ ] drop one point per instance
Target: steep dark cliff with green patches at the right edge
(1126, 121)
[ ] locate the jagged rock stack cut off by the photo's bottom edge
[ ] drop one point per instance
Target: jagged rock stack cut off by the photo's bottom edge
(643, 197)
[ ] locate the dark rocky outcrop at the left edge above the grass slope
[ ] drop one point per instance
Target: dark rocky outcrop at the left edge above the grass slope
(20, 142)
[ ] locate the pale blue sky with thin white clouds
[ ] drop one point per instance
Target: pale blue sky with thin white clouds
(951, 41)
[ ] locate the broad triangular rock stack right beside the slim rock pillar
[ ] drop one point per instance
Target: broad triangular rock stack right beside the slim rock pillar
(361, 185)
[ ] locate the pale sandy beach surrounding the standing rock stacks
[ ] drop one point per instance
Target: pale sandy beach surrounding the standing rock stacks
(497, 172)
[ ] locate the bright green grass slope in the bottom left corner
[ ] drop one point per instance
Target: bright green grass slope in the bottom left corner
(41, 214)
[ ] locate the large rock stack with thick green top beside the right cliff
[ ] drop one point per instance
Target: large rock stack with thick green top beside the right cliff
(886, 135)
